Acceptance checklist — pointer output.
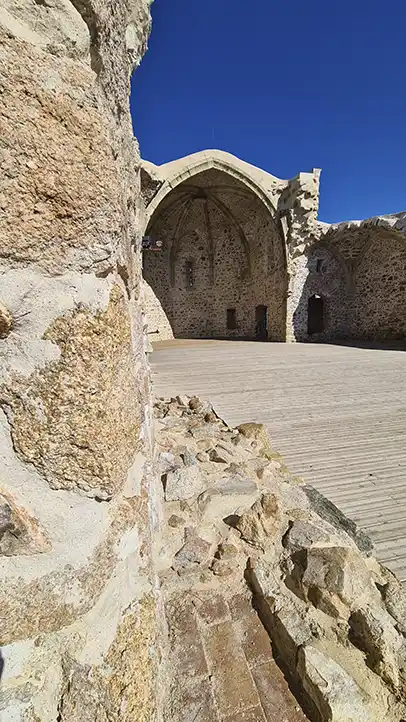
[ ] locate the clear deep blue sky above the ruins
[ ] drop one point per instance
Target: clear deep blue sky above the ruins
(287, 86)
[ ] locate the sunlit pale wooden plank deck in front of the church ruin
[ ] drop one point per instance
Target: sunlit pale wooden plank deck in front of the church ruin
(337, 414)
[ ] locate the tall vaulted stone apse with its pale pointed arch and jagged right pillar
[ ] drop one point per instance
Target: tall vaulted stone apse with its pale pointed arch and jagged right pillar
(232, 237)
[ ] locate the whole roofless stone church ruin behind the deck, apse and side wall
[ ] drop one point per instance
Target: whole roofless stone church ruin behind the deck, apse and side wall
(234, 252)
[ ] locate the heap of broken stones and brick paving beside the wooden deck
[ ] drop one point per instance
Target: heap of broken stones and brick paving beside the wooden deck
(241, 533)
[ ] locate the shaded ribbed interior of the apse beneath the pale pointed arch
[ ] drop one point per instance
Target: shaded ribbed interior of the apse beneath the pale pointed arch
(223, 255)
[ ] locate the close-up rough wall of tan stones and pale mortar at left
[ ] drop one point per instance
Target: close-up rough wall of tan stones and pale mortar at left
(78, 592)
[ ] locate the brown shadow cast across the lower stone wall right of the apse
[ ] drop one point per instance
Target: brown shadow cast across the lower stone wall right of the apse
(359, 300)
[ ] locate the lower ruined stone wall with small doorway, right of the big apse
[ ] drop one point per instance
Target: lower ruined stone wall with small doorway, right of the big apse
(359, 270)
